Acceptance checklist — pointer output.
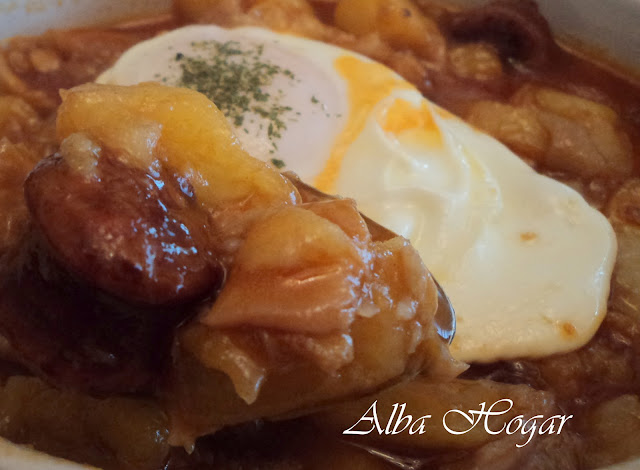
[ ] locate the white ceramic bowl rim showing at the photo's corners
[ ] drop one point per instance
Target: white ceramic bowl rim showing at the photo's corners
(608, 25)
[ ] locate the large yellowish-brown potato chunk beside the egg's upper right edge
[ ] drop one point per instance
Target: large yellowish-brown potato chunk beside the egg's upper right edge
(560, 131)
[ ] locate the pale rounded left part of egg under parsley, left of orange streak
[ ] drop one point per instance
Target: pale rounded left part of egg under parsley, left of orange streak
(281, 104)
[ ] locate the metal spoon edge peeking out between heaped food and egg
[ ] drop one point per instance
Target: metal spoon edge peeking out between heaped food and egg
(445, 317)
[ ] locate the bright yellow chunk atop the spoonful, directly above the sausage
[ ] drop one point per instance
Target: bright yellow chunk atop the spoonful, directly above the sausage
(176, 127)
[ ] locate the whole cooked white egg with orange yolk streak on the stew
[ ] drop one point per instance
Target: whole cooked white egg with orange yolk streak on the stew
(525, 260)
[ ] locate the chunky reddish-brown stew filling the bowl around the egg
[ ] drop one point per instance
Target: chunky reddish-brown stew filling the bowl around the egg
(189, 367)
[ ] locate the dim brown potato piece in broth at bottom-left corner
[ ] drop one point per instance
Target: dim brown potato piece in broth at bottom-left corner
(114, 433)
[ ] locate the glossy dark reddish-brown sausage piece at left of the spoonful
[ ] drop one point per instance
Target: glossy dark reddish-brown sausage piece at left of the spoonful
(138, 235)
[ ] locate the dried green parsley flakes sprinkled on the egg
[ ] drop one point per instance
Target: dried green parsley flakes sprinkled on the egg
(236, 79)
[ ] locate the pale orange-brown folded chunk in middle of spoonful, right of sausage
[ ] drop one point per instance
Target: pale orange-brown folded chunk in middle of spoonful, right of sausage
(291, 260)
